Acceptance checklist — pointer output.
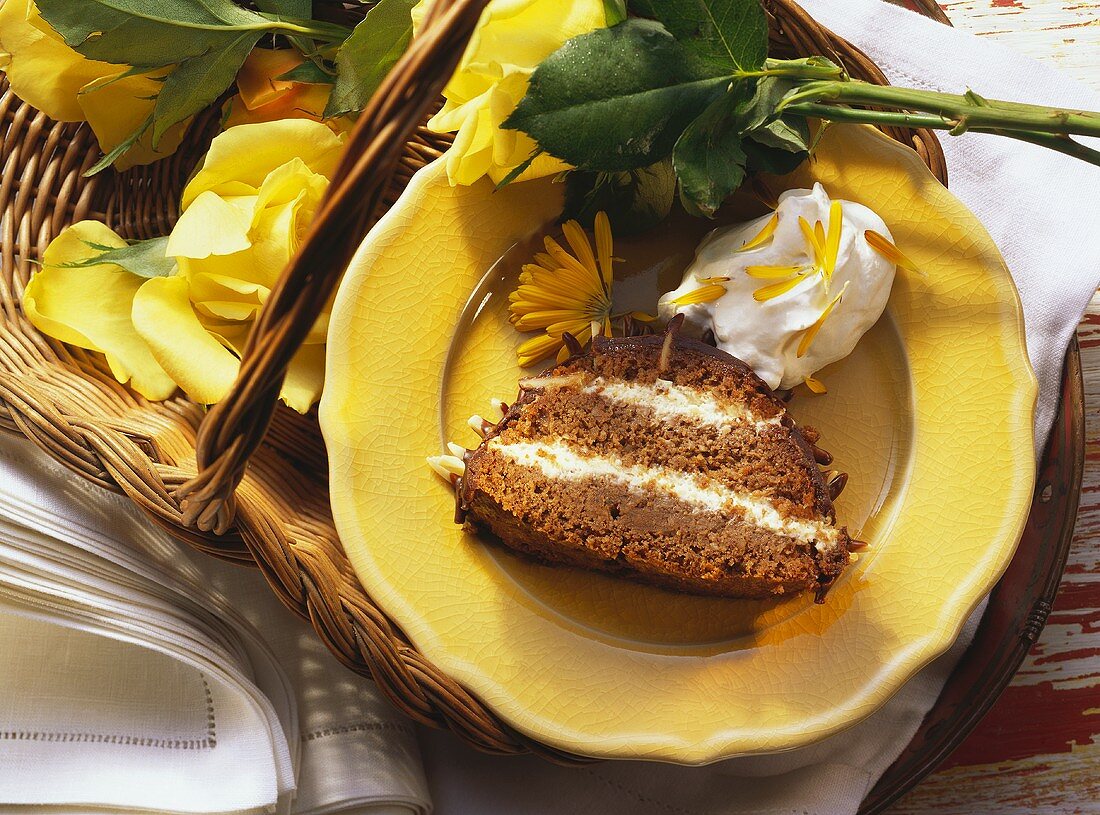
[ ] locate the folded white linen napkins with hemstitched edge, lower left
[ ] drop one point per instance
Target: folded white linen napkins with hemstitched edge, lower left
(140, 676)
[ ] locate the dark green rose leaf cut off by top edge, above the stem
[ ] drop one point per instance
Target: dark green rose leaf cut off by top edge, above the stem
(721, 36)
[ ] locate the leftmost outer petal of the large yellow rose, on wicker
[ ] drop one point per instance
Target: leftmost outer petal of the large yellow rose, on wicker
(91, 307)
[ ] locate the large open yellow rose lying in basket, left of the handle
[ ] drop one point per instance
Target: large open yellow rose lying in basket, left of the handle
(244, 215)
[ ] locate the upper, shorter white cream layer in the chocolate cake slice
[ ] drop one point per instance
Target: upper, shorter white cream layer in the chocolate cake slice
(668, 401)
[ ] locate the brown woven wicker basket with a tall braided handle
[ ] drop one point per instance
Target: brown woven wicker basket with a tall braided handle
(247, 481)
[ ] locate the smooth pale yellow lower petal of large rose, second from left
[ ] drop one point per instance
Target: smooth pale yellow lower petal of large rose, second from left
(197, 361)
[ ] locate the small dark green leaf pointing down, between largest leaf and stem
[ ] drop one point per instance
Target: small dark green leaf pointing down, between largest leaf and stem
(709, 158)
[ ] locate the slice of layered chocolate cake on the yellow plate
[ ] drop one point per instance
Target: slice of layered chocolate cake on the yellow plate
(664, 460)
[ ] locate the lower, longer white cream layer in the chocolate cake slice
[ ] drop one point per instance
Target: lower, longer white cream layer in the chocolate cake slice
(562, 462)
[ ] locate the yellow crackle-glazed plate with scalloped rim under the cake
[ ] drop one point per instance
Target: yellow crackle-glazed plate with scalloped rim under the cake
(932, 416)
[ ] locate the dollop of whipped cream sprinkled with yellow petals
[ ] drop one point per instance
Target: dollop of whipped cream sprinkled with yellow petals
(789, 307)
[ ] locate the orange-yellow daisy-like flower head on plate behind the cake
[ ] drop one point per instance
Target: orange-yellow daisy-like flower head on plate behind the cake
(565, 292)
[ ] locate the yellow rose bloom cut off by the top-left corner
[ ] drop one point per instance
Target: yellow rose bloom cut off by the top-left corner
(48, 74)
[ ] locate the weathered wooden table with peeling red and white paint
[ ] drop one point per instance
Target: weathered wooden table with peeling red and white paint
(1039, 751)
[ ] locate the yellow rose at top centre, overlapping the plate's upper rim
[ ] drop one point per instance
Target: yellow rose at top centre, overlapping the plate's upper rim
(513, 37)
